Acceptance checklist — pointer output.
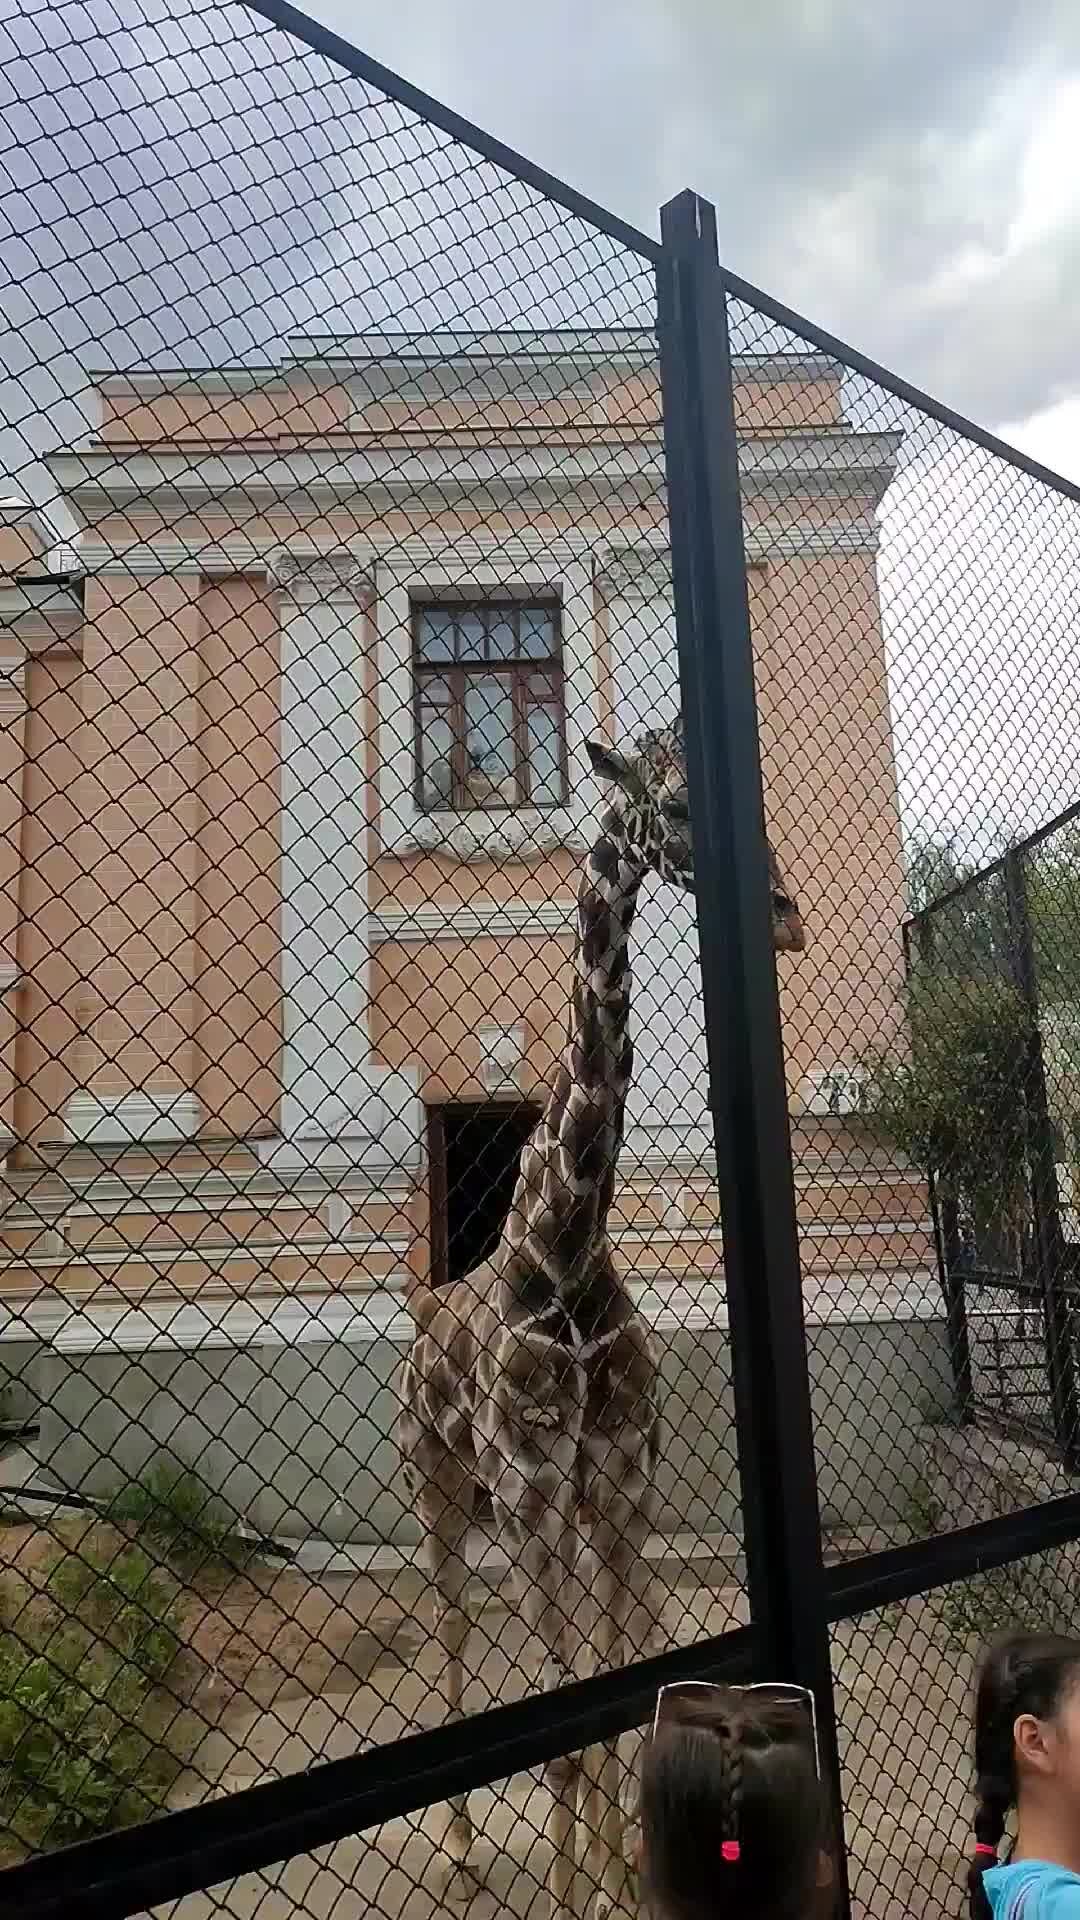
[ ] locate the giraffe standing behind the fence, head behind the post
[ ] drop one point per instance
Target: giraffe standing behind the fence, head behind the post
(535, 1378)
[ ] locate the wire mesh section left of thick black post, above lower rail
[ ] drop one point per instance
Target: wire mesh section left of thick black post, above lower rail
(335, 564)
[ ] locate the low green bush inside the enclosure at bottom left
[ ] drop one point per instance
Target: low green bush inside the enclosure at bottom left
(89, 1740)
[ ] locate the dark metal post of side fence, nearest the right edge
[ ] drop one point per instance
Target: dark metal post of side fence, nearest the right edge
(1048, 1237)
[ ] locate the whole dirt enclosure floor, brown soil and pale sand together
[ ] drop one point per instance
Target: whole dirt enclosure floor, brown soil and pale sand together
(283, 1669)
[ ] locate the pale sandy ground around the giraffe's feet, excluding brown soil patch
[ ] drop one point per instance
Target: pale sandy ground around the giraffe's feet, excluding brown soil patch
(904, 1727)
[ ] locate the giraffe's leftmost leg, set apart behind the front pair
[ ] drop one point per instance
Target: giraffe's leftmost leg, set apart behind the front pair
(447, 1547)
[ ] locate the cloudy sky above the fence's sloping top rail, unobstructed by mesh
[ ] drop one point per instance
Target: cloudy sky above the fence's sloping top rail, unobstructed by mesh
(908, 176)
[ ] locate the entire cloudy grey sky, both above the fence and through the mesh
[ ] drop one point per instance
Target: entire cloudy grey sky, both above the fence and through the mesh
(180, 183)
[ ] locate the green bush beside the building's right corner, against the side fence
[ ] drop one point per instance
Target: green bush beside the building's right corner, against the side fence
(952, 1101)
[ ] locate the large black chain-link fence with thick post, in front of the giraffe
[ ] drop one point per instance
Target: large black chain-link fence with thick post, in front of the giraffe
(397, 554)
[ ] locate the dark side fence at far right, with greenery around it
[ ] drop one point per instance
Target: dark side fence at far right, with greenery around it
(1000, 944)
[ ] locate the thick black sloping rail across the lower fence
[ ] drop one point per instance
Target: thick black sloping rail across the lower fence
(197, 1848)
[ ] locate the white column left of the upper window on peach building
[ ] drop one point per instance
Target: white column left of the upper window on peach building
(337, 1109)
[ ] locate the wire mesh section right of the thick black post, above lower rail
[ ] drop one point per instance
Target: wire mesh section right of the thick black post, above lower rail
(916, 596)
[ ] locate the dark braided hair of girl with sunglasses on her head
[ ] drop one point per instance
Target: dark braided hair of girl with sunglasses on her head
(731, 1767)
